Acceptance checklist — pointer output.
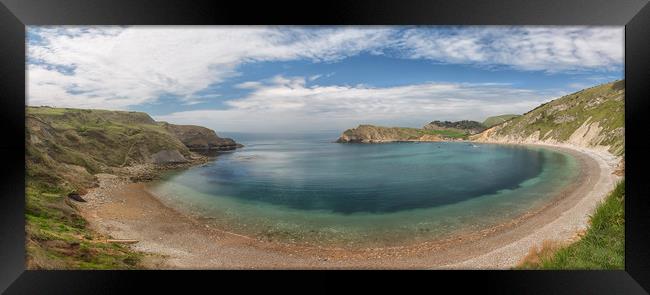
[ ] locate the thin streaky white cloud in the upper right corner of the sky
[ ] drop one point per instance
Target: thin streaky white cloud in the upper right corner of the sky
(551, 49)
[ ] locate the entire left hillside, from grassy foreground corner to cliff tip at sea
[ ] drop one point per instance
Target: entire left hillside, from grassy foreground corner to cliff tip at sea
(65, 148)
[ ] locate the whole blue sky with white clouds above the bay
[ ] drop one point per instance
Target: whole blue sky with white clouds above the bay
(316, 78)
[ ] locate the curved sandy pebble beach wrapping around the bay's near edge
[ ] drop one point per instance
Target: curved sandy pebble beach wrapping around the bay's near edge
(127, 211)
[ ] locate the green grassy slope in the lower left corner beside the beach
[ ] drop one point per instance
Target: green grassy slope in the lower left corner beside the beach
(58, 238)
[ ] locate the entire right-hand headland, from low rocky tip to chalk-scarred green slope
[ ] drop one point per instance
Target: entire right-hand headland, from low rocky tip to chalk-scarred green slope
(592, 118)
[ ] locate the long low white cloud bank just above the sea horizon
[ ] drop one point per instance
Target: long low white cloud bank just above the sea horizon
(288, 104)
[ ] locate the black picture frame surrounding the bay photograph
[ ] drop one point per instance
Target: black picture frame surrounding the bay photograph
(633, 14)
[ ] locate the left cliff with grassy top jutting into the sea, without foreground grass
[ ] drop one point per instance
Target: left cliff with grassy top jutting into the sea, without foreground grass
(68, 146)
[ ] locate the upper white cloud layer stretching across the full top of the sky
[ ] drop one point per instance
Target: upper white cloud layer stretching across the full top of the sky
(117, 67)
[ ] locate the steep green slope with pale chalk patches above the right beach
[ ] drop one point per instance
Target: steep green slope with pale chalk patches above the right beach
(593, 117)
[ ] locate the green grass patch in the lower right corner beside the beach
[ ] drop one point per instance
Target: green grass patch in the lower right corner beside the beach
(603, 245)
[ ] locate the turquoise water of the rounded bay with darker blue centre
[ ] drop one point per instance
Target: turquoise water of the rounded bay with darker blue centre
(310, 190)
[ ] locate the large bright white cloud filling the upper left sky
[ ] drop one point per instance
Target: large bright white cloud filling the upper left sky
(119, 67)
